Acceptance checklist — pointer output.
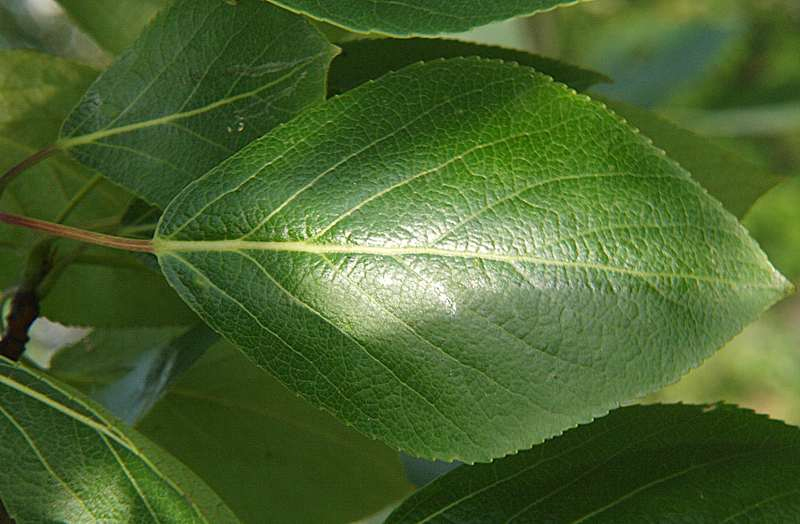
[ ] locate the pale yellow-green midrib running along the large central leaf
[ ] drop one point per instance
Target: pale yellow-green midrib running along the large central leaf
(167, 247)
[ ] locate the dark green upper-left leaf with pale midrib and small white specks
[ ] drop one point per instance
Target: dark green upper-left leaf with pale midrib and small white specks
(204, 79)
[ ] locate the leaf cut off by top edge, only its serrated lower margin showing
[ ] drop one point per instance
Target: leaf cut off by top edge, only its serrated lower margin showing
(416, 17)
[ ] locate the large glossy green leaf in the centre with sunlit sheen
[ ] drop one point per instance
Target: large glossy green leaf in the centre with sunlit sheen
(463, 258)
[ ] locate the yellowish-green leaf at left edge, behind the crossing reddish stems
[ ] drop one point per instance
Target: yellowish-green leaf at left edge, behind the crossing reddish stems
(36, 92)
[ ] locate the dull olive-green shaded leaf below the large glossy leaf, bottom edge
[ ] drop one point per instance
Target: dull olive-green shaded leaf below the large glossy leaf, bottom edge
(236, 426)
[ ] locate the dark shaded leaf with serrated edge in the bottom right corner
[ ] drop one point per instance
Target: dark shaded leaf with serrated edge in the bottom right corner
(662, 463)
